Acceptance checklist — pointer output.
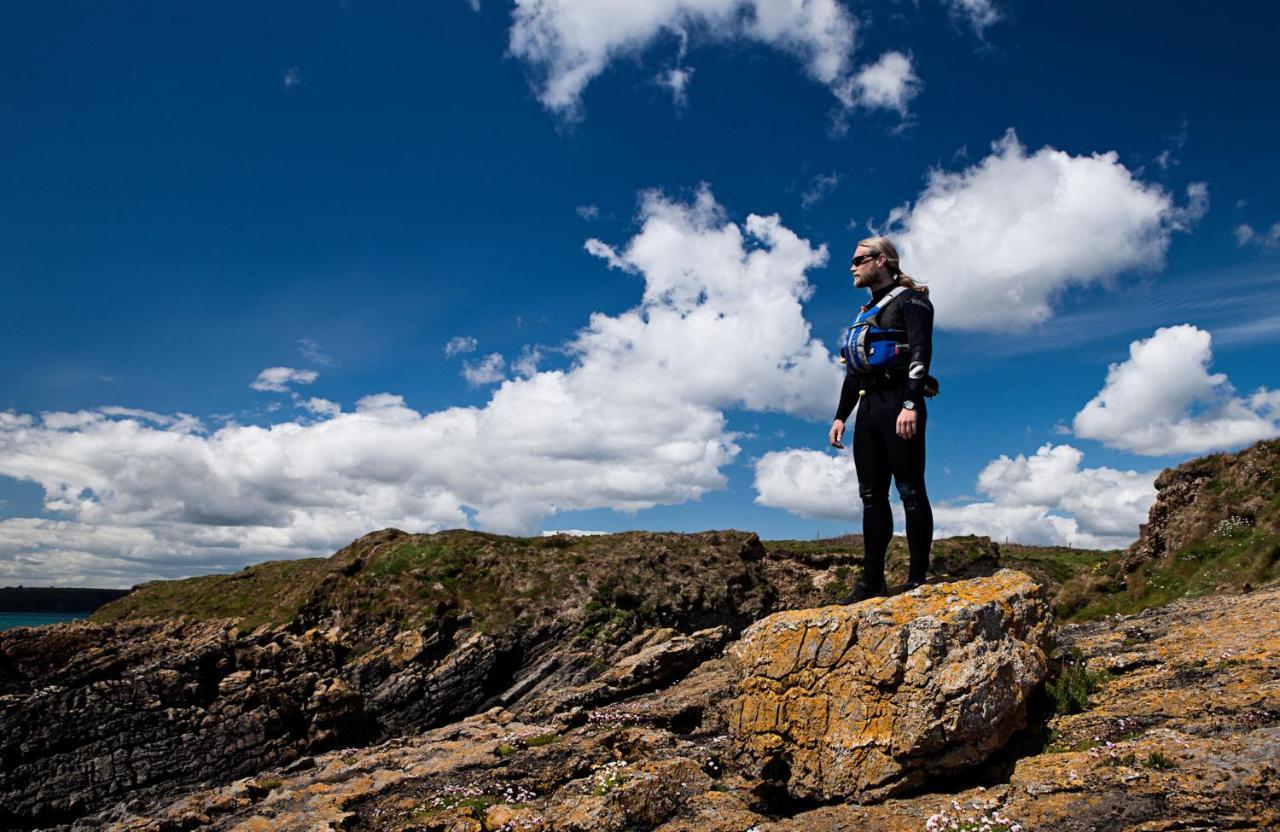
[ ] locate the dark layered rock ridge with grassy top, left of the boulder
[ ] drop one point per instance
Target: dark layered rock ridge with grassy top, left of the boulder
(122, 711)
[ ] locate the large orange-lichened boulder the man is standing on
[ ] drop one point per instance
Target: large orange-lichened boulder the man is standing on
(868, 701)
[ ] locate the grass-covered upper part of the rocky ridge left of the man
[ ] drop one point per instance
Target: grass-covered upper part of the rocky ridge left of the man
(606, 586)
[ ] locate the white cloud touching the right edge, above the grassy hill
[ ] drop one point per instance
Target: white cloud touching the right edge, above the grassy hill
(1164, 401)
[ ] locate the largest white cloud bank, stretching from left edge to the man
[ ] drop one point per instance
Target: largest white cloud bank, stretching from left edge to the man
(636, 420)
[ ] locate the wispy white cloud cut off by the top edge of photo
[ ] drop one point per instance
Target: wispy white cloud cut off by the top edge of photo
(569, 43)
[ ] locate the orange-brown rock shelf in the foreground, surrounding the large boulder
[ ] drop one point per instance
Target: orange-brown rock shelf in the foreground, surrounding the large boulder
(1190, 706)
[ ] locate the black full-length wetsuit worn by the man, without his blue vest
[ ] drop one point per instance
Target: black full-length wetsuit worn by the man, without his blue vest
(880, 454)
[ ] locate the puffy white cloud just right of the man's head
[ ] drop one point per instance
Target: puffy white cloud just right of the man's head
(999, 241)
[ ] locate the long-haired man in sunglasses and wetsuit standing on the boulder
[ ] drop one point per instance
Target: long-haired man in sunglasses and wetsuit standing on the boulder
(886, 354)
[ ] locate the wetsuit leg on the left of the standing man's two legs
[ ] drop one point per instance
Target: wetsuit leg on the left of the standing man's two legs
(872, 463)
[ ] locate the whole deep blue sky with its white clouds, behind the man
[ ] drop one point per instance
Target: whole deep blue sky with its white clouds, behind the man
(195, 195)
